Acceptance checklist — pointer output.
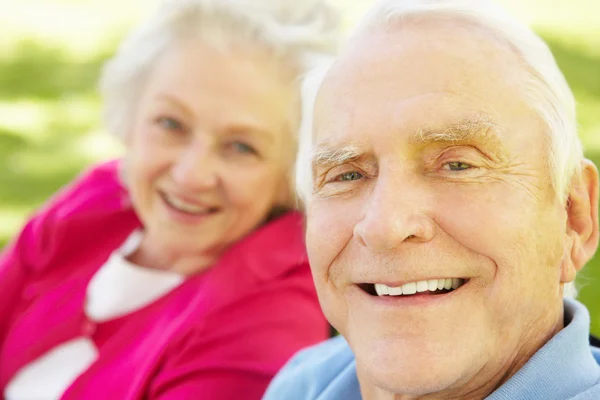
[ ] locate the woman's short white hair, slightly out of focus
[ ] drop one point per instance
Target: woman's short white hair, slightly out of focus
(296, 33)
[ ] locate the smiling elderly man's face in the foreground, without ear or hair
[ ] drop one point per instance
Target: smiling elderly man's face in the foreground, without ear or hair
(429, 166)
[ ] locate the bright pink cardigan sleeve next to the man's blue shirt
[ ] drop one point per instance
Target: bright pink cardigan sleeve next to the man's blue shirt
(240, 349)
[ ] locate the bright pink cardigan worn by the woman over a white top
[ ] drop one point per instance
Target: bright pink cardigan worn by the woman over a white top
(222, 334)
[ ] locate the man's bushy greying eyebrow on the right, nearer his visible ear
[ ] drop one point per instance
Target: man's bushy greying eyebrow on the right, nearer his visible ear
(479, 128)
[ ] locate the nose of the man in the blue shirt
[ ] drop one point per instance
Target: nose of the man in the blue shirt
(396, 213)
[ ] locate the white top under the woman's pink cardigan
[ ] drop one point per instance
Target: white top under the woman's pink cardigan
(118, 288)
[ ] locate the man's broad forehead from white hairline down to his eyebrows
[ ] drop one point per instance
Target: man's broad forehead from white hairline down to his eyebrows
(460, 89)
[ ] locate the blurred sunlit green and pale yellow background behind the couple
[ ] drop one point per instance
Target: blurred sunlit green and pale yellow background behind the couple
(51, 53)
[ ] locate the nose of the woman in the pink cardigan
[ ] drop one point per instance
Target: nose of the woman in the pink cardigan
(196, 167)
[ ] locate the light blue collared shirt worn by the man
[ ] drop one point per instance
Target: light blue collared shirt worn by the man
(565, 368)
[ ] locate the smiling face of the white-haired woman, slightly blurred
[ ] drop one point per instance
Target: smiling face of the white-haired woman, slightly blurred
(210, 149)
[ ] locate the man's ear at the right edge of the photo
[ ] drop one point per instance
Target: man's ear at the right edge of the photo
(582, 220)
